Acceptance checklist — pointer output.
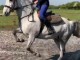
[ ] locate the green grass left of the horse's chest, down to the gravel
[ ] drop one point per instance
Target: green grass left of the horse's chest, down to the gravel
(10, 22)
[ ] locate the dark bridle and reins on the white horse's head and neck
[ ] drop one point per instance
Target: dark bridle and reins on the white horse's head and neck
(16, 8)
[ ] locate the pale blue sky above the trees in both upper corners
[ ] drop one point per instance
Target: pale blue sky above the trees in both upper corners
(52, 2)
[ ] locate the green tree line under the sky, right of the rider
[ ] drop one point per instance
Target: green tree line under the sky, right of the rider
(71, 5)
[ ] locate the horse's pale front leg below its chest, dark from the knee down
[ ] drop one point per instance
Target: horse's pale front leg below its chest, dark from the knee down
(29, 44)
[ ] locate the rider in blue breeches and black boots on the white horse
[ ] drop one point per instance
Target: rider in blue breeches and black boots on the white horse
(42, 6)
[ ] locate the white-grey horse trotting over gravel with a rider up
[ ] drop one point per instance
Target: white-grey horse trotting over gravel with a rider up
(30, 24)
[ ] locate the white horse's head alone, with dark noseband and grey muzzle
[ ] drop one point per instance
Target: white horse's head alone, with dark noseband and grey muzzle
(8, 7)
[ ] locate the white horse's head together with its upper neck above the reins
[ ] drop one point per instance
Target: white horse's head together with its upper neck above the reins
(12, 5)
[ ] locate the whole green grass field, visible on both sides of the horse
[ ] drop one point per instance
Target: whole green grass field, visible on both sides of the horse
(12, 21)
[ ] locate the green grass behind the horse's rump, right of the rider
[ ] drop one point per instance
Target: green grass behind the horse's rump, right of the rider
(71, 14)
